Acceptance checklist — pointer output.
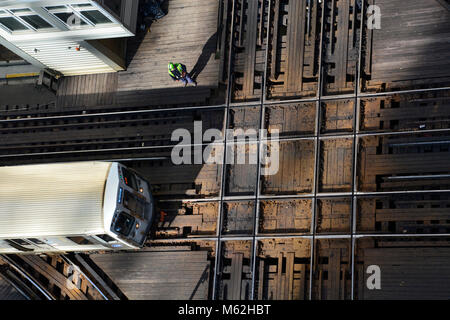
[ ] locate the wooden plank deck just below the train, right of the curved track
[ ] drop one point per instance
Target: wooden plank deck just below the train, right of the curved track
(155, 275)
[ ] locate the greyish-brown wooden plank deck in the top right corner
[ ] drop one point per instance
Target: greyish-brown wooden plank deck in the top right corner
(413, 43)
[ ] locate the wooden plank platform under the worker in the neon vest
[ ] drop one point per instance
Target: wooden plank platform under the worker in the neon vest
(187, 34)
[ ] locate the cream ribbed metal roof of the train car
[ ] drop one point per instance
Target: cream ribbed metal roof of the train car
(52, 199)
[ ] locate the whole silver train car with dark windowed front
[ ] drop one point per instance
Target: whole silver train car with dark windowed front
(79, 206)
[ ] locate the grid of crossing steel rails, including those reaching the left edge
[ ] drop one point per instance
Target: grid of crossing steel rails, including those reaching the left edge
(315, 195)
